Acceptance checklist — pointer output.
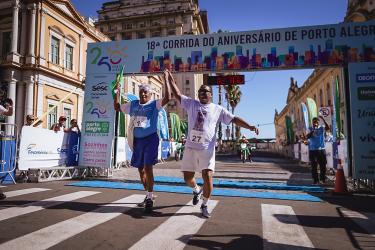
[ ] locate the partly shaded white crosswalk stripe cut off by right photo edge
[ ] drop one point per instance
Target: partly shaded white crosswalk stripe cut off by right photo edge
(364, 220)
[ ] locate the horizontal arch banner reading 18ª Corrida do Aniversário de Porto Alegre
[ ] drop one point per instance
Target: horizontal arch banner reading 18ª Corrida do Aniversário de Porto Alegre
(299, 47)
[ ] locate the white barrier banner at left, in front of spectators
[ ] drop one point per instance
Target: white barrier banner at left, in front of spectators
(42, 148)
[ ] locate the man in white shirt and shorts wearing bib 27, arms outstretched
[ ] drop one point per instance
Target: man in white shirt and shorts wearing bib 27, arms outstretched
(199, 156)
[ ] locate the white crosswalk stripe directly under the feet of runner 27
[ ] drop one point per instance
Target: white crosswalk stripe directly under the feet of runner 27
(177, 230)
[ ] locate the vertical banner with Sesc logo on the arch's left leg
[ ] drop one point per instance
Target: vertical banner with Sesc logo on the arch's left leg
(98, 122)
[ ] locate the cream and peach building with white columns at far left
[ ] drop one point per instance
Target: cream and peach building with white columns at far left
(43, 58)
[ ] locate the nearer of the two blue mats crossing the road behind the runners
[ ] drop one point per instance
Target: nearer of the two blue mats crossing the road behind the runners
(187, 190)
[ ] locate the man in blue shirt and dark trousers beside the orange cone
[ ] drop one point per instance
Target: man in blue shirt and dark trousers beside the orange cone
(317, 153)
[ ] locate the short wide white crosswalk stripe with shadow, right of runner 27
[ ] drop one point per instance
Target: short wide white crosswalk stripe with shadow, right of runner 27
(281, 228)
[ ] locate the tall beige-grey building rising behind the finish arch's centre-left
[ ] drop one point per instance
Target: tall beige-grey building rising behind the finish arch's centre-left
(136, 19)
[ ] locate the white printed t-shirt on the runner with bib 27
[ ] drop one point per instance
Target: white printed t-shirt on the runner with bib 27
(203, 120)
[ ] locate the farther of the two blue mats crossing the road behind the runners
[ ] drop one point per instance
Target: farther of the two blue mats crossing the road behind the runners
(244, 184)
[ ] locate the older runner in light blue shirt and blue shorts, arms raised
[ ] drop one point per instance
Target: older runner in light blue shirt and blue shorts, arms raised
(144, 113)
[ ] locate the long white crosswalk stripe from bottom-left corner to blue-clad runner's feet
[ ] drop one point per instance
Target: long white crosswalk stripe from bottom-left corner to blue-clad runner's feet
(54, 234)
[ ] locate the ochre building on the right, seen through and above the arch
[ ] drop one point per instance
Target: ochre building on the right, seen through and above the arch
(319, 84)
